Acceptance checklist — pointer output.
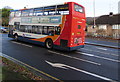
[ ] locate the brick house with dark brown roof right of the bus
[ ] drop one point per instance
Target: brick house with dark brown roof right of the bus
(106, 26)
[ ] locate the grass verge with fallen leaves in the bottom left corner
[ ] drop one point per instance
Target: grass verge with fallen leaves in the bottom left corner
(13, 71)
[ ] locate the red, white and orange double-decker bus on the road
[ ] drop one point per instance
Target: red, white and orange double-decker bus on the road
(58, 26)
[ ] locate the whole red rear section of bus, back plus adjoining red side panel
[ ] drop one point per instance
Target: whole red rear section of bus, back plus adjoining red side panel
(73, 34)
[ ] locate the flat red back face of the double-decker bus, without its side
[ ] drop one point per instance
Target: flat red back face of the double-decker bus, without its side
(78, 24)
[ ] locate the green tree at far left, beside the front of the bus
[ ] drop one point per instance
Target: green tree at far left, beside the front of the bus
(5, 16)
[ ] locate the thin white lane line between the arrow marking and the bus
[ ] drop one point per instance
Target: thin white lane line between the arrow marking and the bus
(91, 62)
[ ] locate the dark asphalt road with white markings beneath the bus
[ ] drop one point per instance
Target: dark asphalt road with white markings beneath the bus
(88, 63)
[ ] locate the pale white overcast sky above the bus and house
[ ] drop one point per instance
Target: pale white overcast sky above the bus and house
(102, 7)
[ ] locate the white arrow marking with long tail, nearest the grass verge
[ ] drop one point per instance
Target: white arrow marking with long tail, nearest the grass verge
(59, 65)
